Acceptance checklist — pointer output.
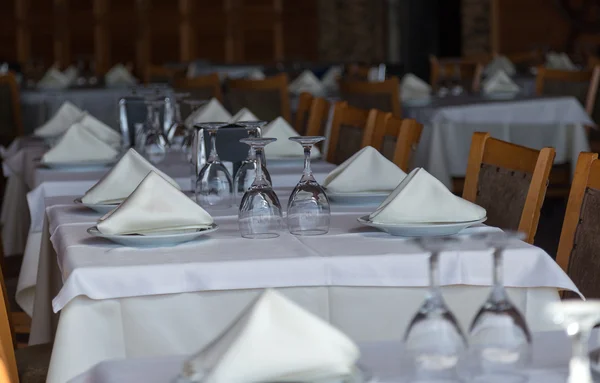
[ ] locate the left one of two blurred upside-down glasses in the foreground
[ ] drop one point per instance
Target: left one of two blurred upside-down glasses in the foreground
(434, 342)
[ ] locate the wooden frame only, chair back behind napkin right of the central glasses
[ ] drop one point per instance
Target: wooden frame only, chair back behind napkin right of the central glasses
(343, 114)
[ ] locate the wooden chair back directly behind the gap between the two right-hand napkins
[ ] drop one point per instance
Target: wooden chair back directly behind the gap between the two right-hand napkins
(405, 132)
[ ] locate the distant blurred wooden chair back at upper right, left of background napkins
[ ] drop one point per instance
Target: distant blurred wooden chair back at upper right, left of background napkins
(470, 72)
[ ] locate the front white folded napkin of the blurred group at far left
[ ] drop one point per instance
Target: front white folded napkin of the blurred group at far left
(79, 145)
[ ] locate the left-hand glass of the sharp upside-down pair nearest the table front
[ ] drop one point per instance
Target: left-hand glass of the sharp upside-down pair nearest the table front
(260, 211)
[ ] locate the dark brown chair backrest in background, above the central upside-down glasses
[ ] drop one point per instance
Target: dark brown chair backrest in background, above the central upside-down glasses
(267, 99)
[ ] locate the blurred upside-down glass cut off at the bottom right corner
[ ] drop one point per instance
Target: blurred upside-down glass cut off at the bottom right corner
(578, 318)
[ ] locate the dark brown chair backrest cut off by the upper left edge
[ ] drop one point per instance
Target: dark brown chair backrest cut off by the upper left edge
(10, 108)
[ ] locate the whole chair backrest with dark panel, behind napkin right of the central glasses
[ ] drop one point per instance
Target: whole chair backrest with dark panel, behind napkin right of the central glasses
(351, 130)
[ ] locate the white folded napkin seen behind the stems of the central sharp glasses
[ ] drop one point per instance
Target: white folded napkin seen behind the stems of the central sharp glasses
(283, 147)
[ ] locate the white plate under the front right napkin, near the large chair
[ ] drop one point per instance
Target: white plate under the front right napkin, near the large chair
(420, 229)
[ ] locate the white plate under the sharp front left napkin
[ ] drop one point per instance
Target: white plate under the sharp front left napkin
(136, 240)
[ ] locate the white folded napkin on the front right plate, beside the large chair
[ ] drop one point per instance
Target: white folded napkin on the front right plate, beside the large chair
(421, 198)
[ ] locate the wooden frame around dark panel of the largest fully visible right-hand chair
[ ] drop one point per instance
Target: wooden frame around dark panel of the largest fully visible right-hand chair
(485, 149)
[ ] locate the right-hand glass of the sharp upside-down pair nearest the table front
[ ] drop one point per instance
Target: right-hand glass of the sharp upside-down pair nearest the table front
(308, 211)
